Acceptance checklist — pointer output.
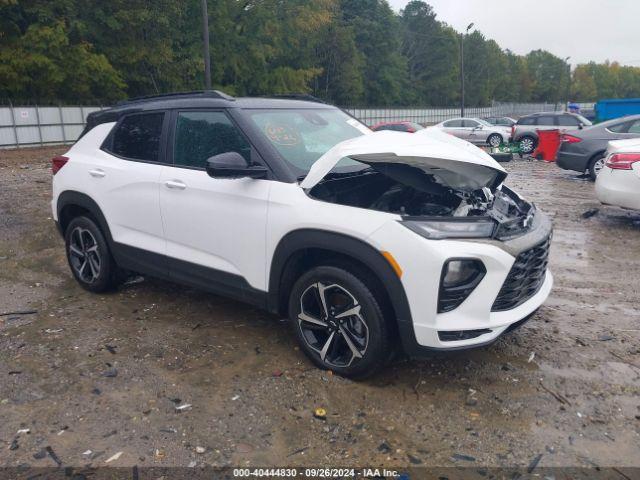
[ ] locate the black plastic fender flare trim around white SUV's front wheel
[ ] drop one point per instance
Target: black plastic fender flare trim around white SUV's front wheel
(303, 239)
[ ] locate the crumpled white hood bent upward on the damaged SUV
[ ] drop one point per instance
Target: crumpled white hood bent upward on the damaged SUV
(451, 161)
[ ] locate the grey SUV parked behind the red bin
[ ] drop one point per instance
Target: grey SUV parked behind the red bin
(525, 133)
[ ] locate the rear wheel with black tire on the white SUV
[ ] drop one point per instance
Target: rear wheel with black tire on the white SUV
(89, 257)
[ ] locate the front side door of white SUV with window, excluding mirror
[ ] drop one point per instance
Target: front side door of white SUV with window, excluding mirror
(215, 228)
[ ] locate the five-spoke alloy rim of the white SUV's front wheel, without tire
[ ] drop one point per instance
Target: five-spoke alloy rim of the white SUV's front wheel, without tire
(332, 324)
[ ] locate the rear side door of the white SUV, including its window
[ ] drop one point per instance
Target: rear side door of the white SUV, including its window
(124, 181)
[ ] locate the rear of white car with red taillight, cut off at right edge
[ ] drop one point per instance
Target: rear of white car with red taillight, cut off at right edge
(619, 181)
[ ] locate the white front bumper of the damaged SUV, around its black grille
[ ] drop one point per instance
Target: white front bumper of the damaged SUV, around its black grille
(422, 261)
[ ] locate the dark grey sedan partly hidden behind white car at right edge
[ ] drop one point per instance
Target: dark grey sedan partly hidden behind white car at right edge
(584, 150)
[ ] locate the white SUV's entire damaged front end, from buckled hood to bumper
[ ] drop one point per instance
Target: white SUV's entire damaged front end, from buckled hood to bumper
(475, 265)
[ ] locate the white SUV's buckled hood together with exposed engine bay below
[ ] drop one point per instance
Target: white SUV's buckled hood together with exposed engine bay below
(441, 186)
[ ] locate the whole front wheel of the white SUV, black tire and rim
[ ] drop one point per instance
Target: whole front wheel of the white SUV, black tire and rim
(365, 332)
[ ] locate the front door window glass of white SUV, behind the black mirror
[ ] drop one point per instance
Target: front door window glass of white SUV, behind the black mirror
(201, 135)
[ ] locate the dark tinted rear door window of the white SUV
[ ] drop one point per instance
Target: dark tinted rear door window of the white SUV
(138, 137)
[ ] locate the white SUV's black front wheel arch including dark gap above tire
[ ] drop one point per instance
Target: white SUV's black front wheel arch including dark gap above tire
(303, 249)
